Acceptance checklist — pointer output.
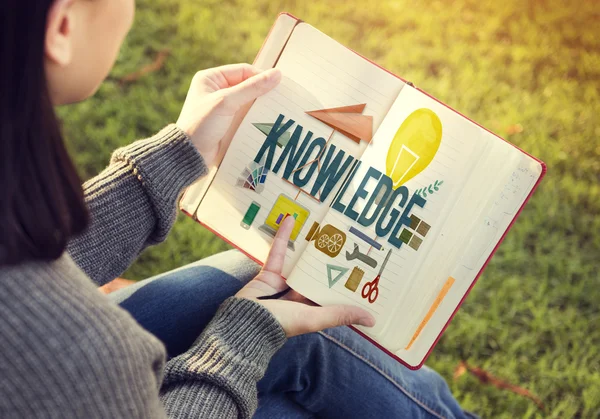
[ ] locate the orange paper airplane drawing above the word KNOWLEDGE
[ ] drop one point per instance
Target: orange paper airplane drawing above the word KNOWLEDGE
(347, 120)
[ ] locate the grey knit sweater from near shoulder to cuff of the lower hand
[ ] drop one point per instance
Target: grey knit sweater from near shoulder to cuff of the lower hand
(66, 351)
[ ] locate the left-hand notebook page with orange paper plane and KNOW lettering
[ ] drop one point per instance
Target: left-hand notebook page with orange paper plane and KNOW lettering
(275, 168)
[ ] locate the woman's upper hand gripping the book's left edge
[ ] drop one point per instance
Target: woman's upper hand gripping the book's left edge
(215, 96)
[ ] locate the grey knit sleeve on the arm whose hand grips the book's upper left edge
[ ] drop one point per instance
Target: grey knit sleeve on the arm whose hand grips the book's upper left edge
(132, 202)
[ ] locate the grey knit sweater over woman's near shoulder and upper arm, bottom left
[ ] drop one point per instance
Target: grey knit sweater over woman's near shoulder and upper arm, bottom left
(63, 342)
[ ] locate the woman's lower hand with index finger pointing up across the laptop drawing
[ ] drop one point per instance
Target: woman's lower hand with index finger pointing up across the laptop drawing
(296, 314)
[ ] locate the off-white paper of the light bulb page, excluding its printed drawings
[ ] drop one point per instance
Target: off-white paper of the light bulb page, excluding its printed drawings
(485, 181)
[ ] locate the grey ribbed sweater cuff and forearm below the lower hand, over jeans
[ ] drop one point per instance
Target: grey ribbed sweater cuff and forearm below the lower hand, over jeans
(217, 377)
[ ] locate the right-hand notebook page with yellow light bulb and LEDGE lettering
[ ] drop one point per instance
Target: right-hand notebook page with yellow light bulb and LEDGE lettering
(458, 188)
